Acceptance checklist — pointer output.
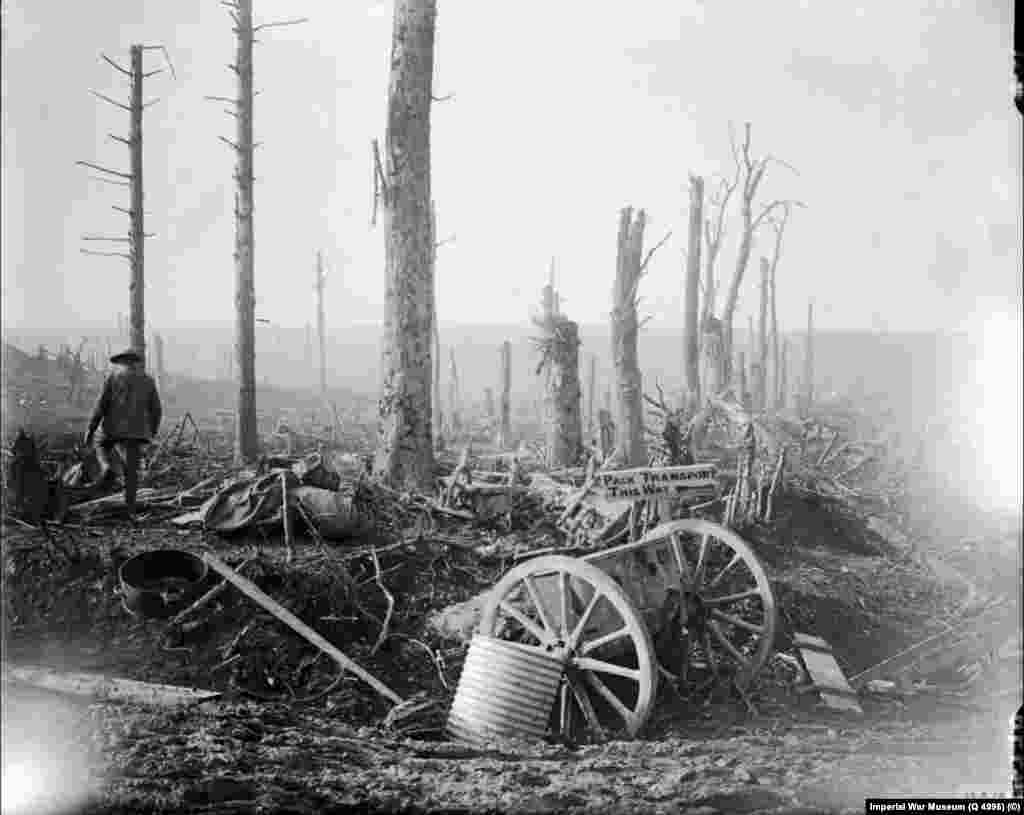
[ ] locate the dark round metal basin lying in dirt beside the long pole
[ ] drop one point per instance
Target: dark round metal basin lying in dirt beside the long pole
(160, 584)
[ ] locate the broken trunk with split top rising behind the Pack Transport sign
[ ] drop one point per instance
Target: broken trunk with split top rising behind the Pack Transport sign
(630, 450)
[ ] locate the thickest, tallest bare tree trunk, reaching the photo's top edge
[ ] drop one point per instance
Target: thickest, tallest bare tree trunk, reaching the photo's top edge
(405, 453)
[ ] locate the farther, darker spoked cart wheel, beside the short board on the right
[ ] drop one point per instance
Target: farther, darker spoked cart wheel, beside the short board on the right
(729, 609)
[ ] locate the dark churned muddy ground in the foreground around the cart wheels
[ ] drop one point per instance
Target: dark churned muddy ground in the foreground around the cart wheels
(286, 739)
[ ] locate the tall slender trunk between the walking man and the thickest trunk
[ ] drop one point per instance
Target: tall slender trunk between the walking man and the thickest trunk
(246, 438)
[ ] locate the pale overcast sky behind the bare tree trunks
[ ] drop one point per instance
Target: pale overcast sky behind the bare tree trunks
(899, 116)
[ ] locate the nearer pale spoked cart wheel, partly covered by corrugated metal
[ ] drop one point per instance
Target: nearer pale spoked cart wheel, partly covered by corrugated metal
(570, 609)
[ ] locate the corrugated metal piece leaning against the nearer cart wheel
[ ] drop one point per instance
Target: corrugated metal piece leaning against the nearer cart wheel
(506, 690)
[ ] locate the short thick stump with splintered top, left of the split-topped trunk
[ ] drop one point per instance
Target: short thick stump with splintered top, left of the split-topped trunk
(565, 431)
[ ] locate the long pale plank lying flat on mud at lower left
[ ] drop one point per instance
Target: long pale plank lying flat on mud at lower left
(98, 687)
